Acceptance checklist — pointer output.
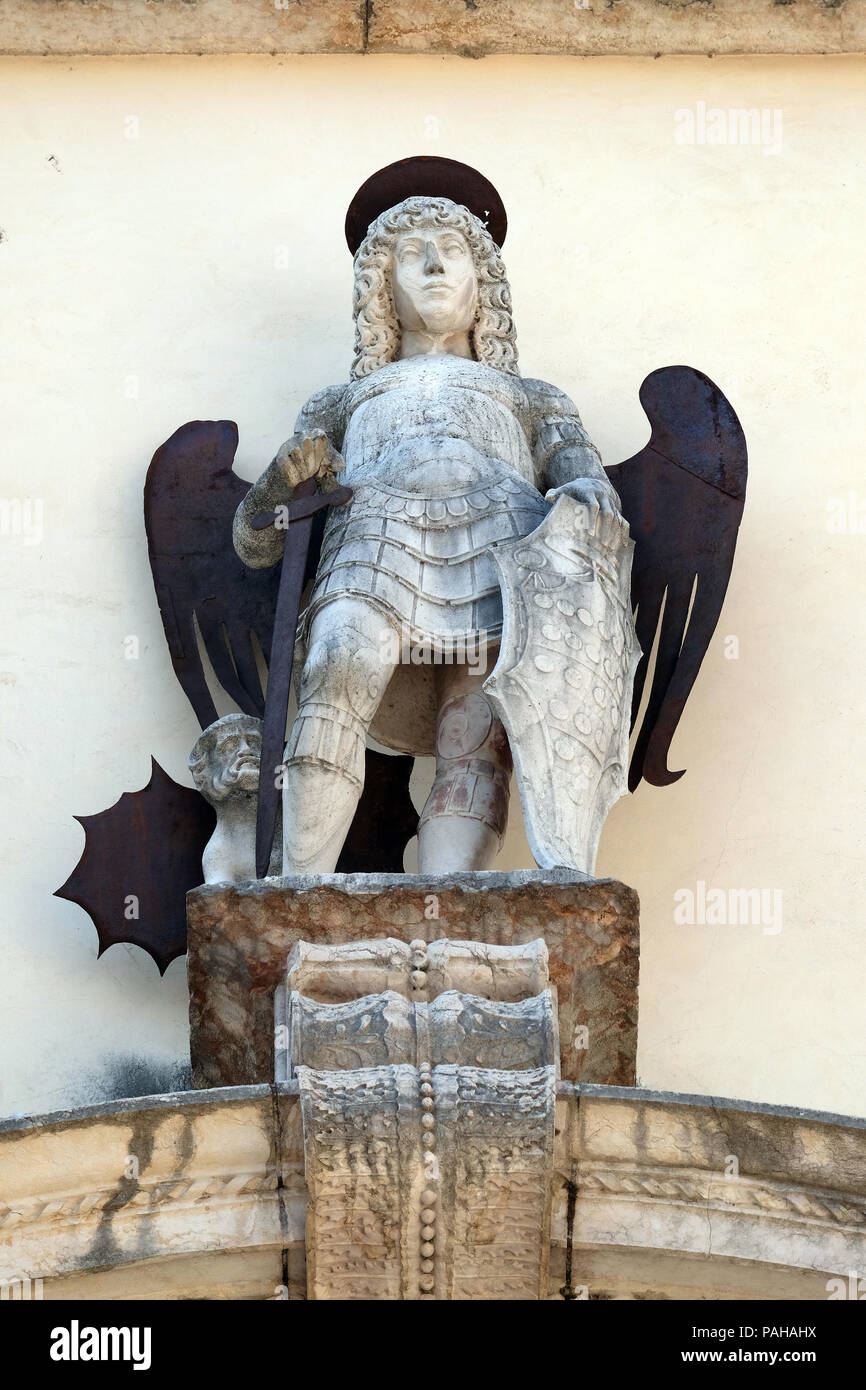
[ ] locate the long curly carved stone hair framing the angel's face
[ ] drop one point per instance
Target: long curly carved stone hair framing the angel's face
(377, 332)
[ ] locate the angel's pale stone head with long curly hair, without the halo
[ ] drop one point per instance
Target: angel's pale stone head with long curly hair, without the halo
(430, 265)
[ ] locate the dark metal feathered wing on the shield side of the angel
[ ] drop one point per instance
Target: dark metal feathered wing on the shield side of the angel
(683, 497)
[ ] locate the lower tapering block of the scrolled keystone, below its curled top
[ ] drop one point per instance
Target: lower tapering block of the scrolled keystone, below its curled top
(429, 1182)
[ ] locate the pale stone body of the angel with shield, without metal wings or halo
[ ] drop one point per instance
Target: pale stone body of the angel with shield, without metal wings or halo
(454, 459)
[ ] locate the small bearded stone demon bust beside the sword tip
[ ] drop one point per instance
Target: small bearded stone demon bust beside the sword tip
(224, 765)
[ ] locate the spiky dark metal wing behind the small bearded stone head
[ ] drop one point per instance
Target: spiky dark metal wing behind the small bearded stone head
(141, 858)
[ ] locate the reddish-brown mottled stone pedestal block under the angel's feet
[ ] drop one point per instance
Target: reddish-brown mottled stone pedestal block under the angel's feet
(241, 938)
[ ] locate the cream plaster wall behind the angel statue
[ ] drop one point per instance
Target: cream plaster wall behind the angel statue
(173, 250)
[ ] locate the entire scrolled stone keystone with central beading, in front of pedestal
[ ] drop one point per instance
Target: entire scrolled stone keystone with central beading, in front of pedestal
(429, 1122)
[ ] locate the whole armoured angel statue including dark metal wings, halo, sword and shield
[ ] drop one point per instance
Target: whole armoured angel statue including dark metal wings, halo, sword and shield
(461, 575)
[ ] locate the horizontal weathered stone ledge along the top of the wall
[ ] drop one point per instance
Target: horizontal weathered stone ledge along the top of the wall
(630, 27)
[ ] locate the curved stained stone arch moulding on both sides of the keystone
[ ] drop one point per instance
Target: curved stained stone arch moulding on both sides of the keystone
(657, 1196)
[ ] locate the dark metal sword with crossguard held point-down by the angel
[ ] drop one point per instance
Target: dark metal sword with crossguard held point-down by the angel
(298, 519)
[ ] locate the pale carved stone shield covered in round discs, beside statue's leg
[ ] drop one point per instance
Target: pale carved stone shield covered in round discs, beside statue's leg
(562, 686)
